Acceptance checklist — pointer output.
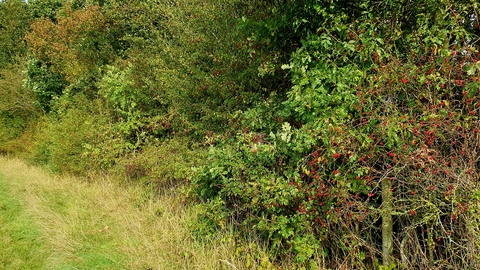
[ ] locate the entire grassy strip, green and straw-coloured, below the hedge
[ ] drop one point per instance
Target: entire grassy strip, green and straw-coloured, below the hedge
(50, 222)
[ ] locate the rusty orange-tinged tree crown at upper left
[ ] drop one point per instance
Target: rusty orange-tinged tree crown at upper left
(75, 44)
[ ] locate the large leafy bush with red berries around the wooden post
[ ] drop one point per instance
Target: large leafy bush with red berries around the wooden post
(373, 157)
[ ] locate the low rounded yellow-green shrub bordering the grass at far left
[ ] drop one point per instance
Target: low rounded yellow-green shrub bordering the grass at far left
(68, 134)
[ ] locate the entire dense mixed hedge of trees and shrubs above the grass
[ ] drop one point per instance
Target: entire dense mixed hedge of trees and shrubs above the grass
(338, 133)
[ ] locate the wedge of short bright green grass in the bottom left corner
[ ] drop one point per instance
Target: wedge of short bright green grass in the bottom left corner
(20, 243)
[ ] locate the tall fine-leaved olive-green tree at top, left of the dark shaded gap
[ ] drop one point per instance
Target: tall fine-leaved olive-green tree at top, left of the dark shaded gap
(201, 74)
